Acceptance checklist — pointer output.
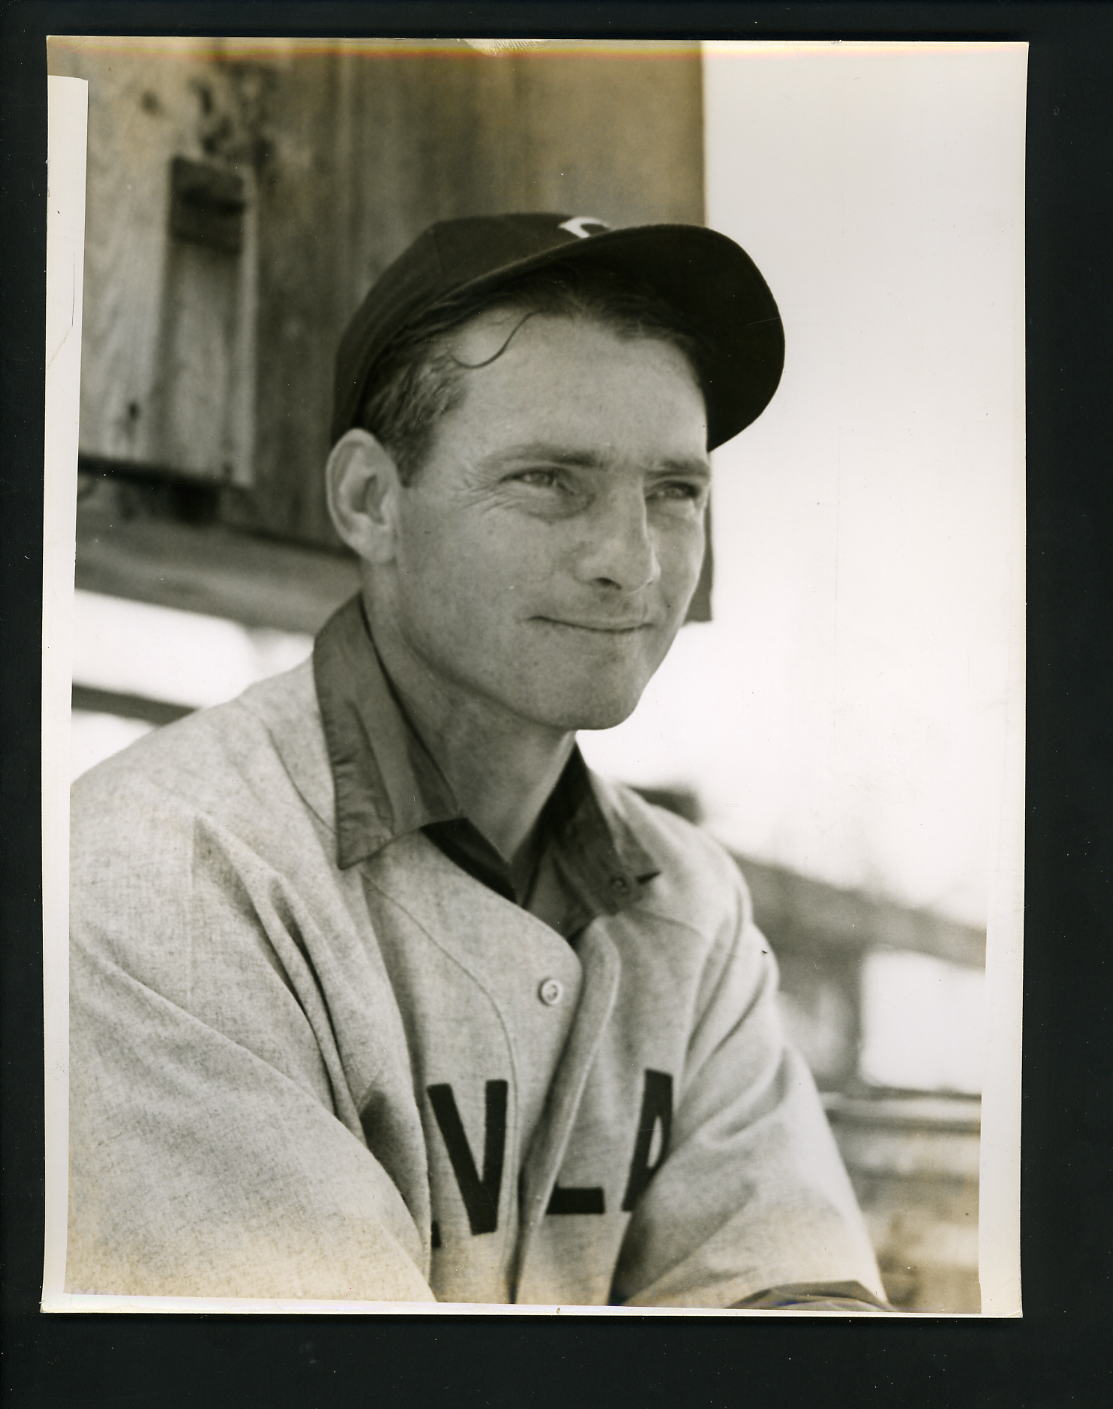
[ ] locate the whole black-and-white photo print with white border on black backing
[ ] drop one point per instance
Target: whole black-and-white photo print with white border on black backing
(545, 677)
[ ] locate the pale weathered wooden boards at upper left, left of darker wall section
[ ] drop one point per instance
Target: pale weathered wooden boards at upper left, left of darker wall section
(168, 363)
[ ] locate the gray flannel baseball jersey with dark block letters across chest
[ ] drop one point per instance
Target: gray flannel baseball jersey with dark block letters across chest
(385, 1083)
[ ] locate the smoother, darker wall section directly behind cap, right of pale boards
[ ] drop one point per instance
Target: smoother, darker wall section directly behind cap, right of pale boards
(388, 140)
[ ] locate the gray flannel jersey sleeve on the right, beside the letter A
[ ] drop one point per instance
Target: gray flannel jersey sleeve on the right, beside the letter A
(752, 1193)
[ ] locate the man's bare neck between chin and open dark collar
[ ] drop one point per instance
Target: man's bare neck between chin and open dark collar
(502, 769)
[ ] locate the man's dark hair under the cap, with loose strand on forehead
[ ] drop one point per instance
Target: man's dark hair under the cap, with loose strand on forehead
(419, 380)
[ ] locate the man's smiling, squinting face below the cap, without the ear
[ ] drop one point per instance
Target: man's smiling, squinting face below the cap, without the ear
(549, 547)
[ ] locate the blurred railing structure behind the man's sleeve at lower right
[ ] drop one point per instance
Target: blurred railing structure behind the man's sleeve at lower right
(912, 1155)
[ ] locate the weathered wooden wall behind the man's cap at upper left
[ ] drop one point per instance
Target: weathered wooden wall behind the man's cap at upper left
(211, 361)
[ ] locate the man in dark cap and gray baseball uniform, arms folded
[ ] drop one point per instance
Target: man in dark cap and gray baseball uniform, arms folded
(377, 994)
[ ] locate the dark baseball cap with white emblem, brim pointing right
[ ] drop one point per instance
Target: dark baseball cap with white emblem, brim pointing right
(711, 281)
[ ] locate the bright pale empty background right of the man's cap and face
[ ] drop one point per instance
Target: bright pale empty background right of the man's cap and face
(849, 702)
